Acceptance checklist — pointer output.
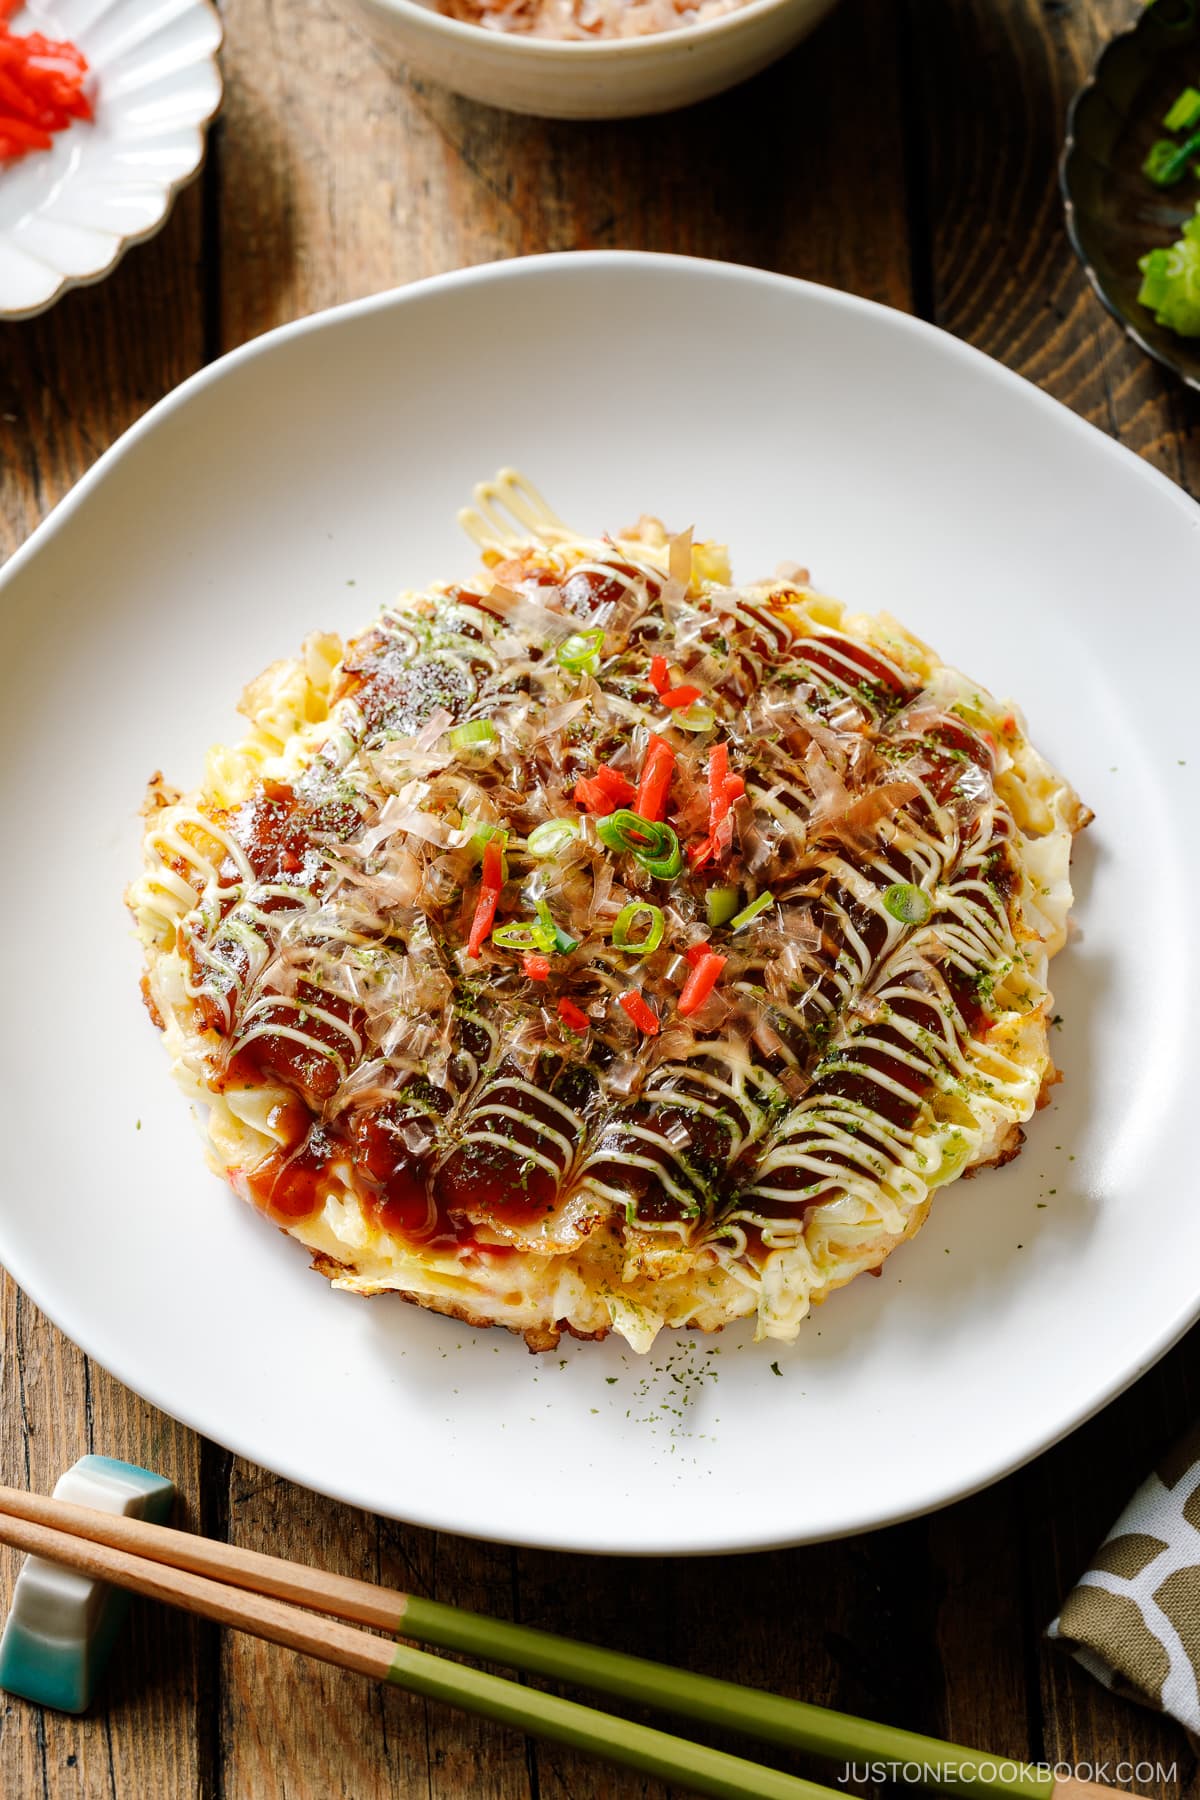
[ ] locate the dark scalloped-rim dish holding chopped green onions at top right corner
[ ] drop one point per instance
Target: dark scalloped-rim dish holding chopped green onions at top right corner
(1115, 215)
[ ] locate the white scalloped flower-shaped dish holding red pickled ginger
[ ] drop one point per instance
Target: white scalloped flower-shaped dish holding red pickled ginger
(69, 213)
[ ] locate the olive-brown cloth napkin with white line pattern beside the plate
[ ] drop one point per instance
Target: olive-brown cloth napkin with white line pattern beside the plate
(1134, 1619)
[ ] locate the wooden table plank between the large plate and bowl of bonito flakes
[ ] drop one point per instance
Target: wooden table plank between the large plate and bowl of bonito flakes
(364, 179)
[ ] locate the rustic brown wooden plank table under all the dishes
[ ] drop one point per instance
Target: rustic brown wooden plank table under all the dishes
(906, 154)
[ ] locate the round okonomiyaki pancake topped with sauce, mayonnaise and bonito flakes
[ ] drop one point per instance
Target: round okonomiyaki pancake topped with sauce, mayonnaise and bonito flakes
(600, 946)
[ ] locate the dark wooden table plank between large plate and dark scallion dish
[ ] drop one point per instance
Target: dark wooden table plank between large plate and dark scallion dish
(994, 84)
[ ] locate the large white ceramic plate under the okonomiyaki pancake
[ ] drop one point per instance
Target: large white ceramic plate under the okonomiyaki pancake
(300, 483)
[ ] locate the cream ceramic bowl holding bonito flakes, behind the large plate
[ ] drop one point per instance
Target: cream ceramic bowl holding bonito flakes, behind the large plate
(609, 80)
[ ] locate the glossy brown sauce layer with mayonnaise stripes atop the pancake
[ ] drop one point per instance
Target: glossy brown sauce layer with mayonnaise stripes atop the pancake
(325, 924)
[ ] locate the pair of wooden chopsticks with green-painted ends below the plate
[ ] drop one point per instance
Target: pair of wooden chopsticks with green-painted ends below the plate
(321, 1615)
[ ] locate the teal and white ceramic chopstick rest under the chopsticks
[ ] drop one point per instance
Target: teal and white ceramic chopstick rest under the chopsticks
(62, 1624)
